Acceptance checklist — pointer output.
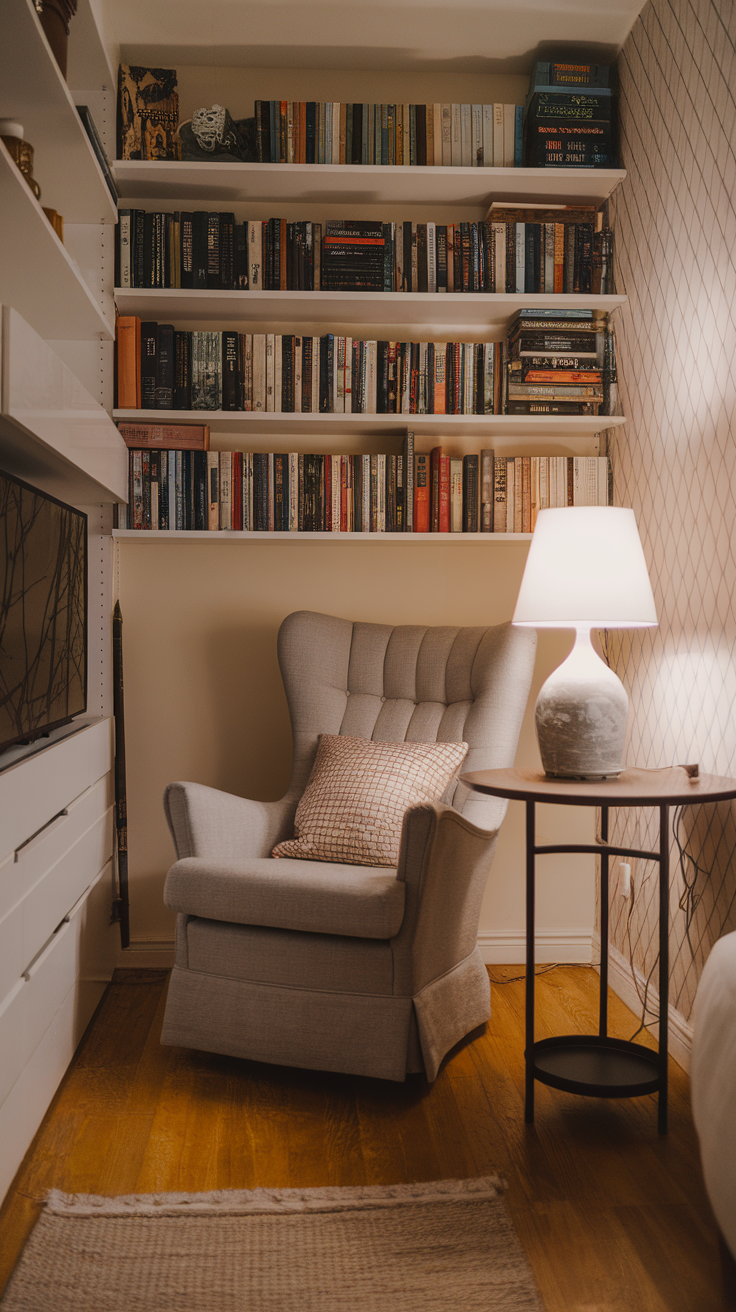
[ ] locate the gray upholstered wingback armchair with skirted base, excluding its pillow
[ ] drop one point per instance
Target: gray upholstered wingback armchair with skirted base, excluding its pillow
(355, 969)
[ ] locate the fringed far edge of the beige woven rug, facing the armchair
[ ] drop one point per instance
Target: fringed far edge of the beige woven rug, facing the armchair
(237, 1202)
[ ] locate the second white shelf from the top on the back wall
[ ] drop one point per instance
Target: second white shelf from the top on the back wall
(443, 313)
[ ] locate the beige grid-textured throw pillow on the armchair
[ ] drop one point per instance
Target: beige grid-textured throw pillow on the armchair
(354, 806)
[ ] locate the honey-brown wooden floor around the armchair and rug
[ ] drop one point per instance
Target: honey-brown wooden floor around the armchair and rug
(613, 1218)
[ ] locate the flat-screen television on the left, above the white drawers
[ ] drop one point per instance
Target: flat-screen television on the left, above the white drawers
(43, 612)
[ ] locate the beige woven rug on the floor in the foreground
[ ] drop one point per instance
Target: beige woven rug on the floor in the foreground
(406, 1248)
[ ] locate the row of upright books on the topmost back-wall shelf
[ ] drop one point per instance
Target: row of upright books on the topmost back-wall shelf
(335, 133)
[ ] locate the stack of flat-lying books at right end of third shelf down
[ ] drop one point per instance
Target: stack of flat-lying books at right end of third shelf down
(556, 363)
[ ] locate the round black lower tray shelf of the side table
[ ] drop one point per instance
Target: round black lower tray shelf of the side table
(595, 1066)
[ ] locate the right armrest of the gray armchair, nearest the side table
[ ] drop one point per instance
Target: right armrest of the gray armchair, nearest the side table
(444, 861)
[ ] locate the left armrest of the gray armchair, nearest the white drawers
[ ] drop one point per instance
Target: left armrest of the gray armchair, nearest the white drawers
(220, 826)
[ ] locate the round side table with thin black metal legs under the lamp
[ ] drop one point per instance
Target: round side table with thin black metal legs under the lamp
(598, 1065)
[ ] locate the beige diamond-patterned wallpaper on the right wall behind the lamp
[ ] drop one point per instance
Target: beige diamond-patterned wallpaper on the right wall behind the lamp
(675, 461)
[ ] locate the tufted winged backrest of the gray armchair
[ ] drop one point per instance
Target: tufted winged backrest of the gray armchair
(409, 684)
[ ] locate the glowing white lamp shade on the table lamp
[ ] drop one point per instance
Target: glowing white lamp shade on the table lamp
(586, 570)
